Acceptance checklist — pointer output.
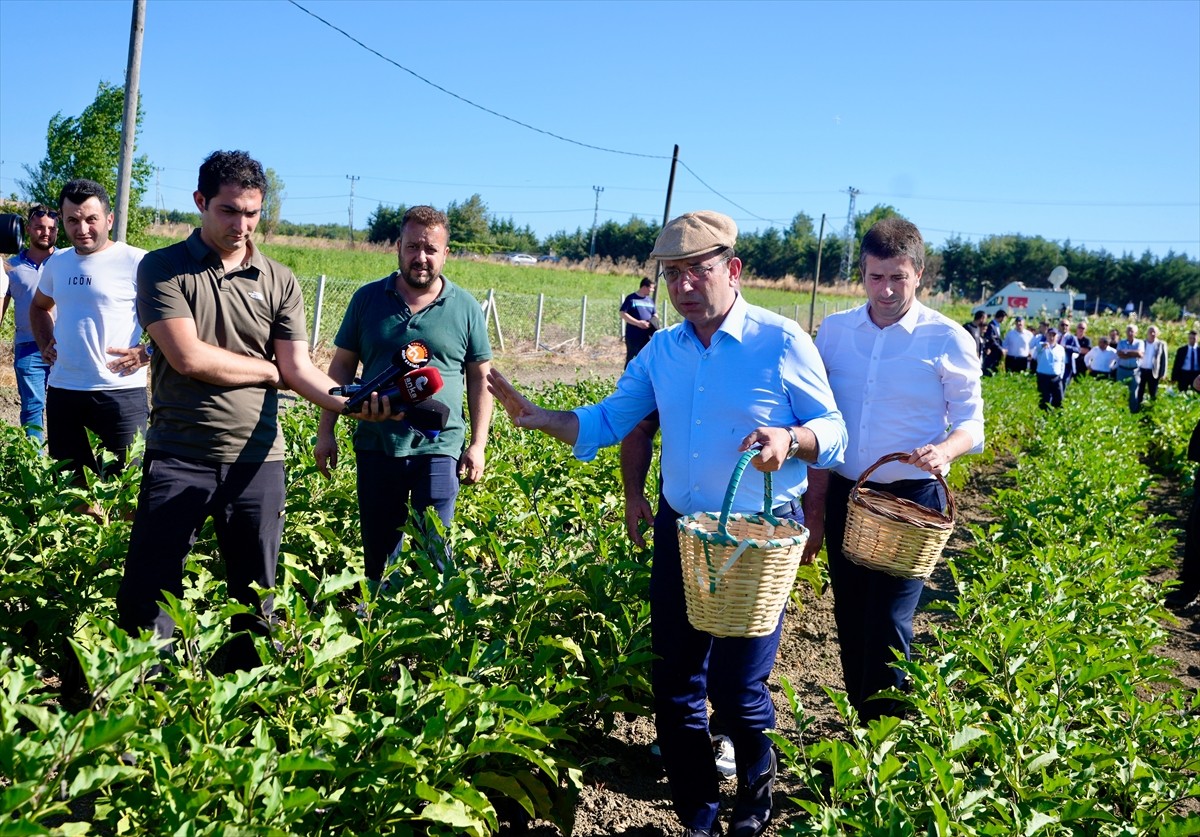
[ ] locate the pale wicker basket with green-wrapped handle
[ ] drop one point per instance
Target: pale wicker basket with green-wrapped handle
(739, 570)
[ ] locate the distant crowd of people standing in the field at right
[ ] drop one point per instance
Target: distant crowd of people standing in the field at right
(1057, 356)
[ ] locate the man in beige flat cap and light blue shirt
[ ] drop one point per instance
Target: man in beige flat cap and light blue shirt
(730, 377)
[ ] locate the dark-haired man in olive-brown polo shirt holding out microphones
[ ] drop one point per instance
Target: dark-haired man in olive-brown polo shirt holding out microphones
(229, 330)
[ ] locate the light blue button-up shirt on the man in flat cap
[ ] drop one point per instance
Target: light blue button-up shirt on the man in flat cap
(759, 371)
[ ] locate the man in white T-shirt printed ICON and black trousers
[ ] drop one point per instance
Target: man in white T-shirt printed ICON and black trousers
(87, 327)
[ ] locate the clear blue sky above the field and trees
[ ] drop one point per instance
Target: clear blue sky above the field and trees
(1070, 121)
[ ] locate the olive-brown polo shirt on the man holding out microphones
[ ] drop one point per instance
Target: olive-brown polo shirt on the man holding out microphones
(242, 311)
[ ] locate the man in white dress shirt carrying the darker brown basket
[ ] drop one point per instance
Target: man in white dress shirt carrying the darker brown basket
(907, 380)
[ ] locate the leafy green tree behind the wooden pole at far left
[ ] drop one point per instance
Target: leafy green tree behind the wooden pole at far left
(89, 146)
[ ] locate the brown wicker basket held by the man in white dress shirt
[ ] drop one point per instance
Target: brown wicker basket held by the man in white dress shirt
(895, 535)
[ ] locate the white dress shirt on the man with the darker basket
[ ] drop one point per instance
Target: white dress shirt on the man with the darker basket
(899, 388)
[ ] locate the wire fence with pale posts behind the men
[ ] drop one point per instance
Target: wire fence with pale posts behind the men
(525, 322)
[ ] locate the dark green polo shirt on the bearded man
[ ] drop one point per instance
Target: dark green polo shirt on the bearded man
(379, 322)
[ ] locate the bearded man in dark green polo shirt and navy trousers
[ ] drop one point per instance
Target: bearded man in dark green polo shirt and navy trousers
(399, 466)
